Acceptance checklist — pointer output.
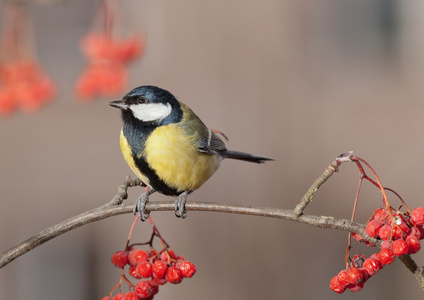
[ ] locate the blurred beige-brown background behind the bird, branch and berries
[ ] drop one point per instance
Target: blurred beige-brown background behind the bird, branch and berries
(300, 81)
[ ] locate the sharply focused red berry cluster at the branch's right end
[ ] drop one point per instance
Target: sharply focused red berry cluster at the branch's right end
(401, 234)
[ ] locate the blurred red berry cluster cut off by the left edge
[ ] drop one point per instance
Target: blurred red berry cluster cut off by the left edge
(23, 84)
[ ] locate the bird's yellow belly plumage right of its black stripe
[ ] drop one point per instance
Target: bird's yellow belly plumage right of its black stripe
(174, 157)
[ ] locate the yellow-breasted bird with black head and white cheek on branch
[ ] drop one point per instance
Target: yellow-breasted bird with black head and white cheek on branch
(168, 147)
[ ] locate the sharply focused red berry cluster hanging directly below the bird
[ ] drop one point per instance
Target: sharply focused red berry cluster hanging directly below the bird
(150, 267)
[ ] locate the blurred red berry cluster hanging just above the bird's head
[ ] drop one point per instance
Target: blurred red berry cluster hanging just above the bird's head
(108, 56)
